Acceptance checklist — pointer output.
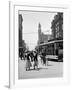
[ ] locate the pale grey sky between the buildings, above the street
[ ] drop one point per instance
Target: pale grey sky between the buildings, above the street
(31, 19)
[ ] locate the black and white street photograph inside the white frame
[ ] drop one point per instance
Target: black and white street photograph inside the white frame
(40, 44)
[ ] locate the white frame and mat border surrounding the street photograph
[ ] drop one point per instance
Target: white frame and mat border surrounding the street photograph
(14, 82)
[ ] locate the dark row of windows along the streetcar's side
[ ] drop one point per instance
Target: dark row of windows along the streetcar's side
(51, 49)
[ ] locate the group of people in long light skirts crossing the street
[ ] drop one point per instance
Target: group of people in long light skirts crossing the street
(34, 60)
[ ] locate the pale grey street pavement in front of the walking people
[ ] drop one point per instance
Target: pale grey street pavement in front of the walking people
(53, 69)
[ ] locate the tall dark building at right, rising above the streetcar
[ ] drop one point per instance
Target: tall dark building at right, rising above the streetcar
(57, 26)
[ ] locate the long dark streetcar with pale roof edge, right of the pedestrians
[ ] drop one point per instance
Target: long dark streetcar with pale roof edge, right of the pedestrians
(53, 49)
